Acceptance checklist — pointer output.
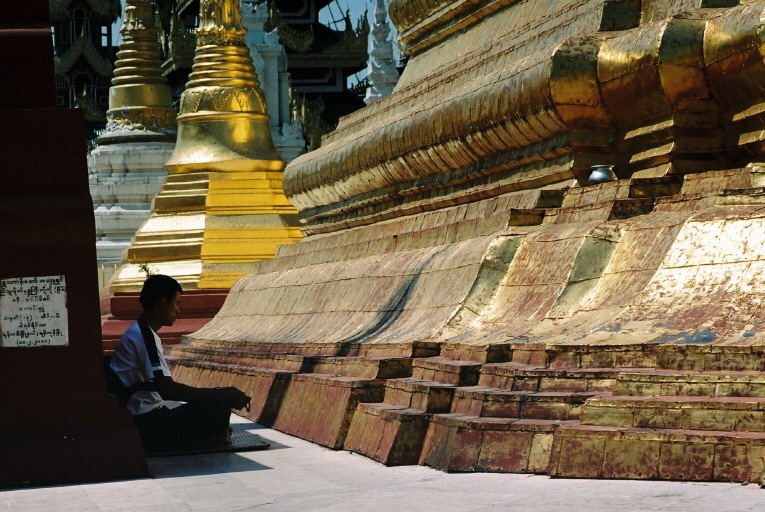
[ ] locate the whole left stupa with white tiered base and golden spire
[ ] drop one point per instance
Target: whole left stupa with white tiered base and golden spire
(126, 169)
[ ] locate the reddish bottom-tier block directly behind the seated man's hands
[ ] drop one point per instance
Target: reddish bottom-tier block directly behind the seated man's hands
(265, 386)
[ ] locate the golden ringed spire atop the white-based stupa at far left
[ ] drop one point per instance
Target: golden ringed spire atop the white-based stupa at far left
(139, 98)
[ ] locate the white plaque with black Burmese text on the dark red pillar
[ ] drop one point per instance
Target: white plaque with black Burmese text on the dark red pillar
(33, 312)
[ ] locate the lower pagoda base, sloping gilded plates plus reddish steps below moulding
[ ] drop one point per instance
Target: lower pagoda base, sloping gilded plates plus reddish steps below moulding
(537, 332)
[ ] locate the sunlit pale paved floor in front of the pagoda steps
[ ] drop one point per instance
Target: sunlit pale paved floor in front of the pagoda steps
(298, 476)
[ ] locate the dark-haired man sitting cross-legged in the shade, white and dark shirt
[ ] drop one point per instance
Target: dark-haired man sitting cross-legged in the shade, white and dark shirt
(204, 420)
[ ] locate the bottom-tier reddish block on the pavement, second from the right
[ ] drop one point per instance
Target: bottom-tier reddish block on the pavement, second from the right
(457, 442)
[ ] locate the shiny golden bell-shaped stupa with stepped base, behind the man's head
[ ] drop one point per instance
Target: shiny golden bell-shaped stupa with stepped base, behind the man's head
(223, 206)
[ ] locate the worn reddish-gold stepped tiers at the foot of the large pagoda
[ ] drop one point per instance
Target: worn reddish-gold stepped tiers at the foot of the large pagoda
(640, 422)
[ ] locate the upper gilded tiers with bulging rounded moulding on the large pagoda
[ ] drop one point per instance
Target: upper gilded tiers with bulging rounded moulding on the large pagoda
(528, 97)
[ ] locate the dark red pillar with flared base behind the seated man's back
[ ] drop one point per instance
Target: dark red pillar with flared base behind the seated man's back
(57, 423)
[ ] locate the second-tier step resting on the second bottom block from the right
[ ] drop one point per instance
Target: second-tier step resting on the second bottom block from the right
(499, 403)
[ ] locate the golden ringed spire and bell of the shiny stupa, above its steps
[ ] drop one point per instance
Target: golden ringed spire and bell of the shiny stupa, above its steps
(223, 124)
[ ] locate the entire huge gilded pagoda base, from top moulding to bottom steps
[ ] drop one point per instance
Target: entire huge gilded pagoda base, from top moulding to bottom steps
(465, 298)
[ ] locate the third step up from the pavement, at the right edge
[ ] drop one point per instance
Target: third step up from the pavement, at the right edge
(653, 382)
